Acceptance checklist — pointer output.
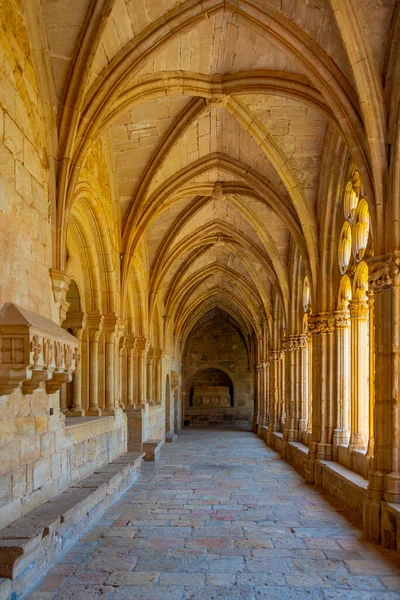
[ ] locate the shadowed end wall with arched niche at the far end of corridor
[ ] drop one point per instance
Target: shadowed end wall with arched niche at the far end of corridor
(217, 344)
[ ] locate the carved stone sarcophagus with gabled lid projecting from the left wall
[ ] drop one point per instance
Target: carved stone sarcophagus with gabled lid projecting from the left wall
(34, 349)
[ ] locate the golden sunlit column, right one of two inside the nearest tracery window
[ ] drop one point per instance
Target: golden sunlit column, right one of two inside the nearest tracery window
(359, 374)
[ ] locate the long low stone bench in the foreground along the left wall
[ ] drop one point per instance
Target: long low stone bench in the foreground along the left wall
(30, 545)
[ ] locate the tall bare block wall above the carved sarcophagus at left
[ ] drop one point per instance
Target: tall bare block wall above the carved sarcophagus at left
(25, 211)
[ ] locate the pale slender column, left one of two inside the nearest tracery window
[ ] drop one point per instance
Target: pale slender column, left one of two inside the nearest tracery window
(341, 434)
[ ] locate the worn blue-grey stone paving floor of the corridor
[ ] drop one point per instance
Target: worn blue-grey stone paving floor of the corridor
(221, 517)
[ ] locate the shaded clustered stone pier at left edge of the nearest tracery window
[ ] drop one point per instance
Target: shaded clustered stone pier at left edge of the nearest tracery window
(322, 328)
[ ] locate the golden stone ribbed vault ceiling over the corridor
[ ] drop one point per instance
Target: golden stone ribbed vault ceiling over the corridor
(217, 113)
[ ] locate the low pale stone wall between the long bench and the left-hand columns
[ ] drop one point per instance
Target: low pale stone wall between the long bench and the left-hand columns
(43, 458)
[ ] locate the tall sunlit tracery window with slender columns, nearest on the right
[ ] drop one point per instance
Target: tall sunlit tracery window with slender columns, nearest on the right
(354, 335)
